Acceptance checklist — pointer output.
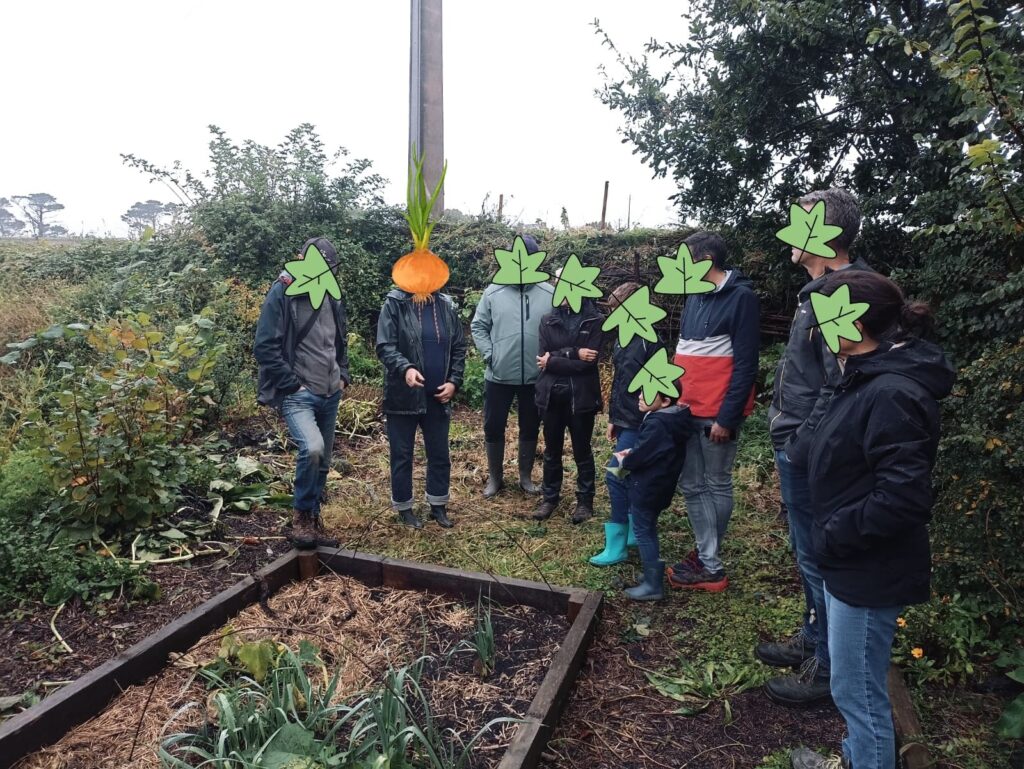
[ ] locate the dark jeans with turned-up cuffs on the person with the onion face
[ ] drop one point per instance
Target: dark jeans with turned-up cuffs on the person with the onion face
(402, 440)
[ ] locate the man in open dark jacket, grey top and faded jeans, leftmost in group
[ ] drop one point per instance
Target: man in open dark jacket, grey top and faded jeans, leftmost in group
(304, 369)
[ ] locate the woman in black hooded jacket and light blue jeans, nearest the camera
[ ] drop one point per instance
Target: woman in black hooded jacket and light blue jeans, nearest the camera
(871, 460)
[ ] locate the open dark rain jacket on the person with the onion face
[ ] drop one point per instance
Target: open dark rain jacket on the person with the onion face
(400, 348)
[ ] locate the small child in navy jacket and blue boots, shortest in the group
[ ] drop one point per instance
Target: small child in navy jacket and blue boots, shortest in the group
(654, 466)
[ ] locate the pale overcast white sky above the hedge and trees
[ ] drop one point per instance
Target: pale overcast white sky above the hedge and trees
(94, 80)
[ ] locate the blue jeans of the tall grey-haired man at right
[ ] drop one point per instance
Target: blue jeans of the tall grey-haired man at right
(797, 496)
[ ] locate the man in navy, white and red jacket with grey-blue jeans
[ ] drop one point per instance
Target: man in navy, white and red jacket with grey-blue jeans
(719, 335)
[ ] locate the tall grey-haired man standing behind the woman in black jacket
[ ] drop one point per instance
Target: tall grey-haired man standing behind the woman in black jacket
(804, 382)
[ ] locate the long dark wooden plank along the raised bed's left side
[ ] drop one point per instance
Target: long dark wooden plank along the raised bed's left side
(48, 722)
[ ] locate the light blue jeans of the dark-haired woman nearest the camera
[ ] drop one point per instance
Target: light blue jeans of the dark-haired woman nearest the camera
(861, 640)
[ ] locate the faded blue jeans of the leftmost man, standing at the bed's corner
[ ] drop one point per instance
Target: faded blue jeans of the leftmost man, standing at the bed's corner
(311, 419)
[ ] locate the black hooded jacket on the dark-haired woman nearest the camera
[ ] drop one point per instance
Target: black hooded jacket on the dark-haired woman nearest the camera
(871, 464)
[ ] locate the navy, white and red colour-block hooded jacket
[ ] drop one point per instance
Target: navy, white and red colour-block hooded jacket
(719, 337)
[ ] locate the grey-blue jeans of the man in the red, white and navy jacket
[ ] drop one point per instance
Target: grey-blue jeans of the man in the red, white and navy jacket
(707, 484)
